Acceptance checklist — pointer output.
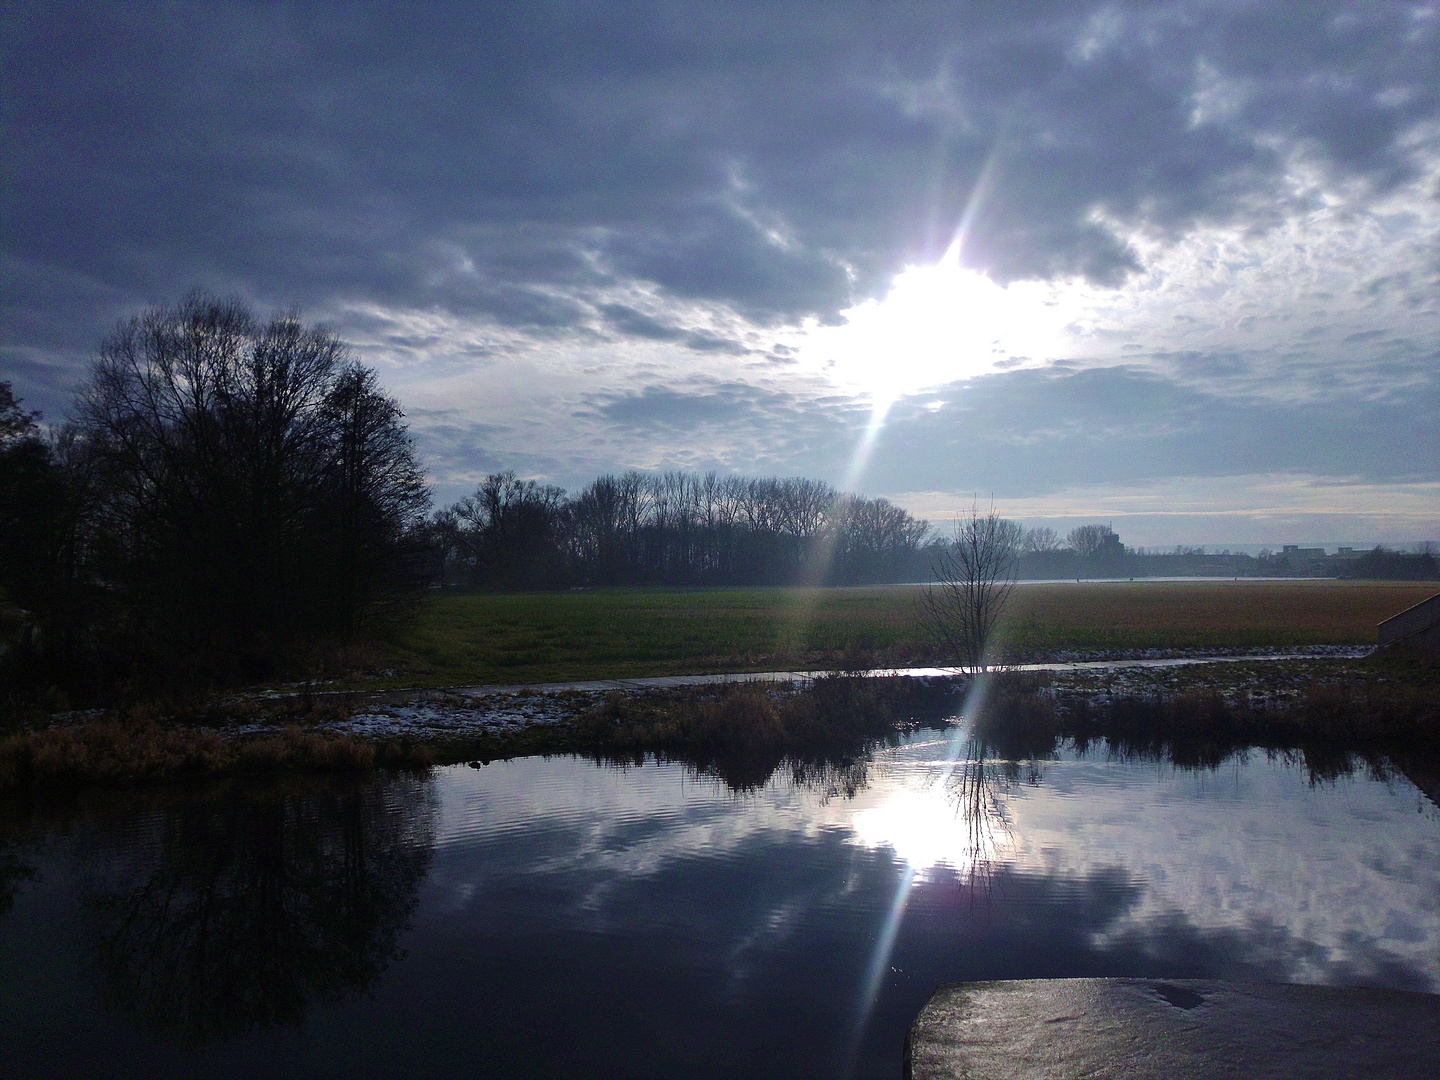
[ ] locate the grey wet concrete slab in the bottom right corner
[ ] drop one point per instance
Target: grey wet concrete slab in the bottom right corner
(1171, 1030)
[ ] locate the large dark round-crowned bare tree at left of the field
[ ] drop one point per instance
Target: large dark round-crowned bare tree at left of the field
(256, 487)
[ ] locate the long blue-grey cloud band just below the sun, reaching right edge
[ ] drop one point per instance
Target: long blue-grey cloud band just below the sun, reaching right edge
(1042, 431)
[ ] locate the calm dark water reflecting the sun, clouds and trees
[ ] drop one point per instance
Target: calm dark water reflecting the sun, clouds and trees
(561, 918)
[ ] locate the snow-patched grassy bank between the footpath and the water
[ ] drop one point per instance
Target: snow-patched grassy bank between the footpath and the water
(1333, 699)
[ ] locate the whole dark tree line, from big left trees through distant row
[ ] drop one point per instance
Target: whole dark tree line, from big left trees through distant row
(230, 492)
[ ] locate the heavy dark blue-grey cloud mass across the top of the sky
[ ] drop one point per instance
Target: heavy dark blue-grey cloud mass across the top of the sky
(735, 159)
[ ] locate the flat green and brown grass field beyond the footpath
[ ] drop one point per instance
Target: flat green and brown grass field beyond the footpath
(463, 640)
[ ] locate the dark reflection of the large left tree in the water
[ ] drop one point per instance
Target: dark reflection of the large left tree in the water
(240, 909)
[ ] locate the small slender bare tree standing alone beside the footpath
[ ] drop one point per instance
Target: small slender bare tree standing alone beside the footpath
(974, 578)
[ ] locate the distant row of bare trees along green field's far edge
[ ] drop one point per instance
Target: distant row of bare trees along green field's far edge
(679, 529)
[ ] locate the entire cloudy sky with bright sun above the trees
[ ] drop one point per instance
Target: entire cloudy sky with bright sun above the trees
(1174, 266)
